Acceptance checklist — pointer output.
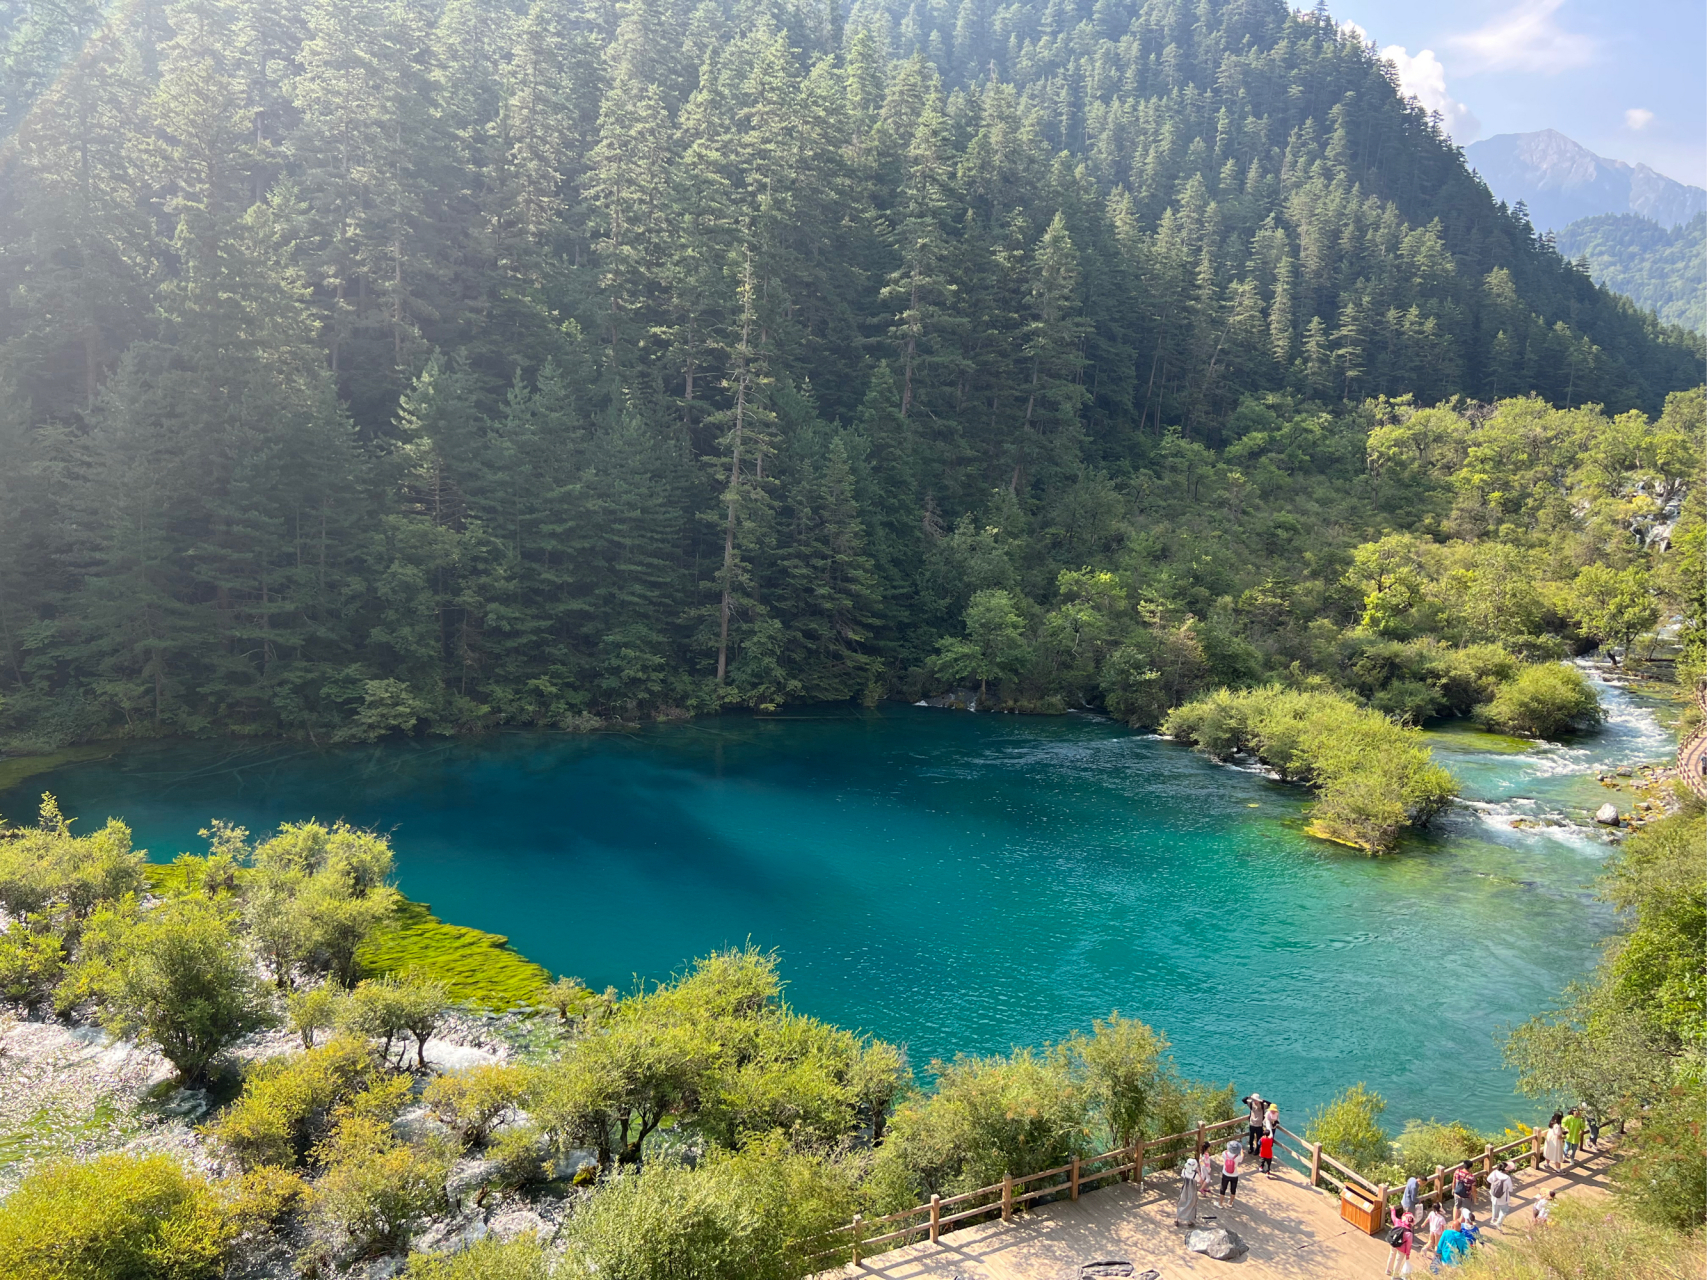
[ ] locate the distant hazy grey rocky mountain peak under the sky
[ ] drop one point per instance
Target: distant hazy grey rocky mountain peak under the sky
(1563, 182)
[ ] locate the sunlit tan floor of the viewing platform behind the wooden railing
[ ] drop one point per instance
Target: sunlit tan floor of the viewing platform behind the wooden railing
(1293, 1233)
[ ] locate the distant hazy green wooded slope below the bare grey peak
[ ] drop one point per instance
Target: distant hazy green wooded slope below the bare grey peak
(1660, 269)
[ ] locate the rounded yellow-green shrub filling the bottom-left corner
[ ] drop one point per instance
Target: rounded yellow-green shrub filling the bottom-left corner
(117, 1218)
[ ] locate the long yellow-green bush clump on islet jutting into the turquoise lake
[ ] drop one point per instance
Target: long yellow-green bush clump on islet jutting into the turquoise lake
(1373, 777)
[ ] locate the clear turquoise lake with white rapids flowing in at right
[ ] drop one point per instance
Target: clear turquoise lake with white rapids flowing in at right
(967, 883)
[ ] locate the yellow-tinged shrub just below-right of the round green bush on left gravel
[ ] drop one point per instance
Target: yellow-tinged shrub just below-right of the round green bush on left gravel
(288, 1102)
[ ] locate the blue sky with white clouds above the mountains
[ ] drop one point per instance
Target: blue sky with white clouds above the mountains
(1624, 78)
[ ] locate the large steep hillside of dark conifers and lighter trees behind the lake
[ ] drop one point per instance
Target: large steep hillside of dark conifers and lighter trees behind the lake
(431, 366)
